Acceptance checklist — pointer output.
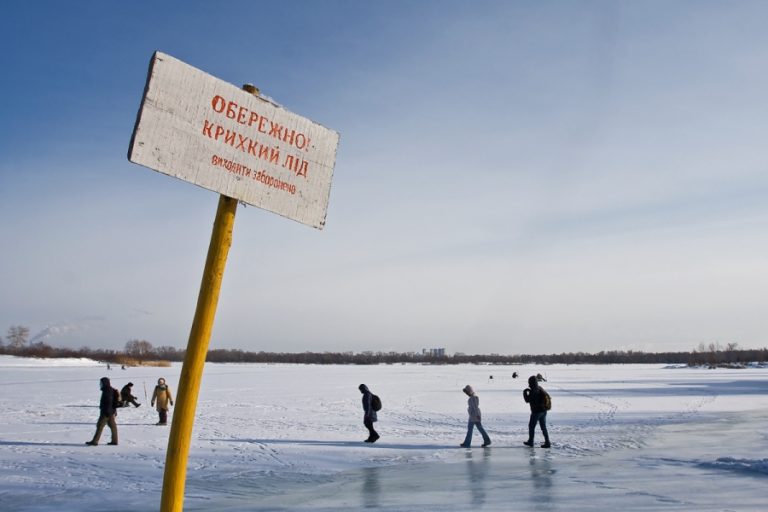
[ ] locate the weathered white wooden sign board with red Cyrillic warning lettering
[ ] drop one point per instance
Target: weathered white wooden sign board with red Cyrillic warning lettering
(203, 130)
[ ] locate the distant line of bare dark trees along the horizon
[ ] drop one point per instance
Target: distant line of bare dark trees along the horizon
(142, 352)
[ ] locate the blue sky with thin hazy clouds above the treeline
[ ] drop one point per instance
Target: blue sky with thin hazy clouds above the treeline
(513, 177)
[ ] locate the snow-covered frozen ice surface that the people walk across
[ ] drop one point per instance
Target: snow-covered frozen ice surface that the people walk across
(289, 437)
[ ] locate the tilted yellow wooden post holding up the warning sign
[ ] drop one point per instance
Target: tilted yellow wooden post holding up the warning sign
(174, 478)
